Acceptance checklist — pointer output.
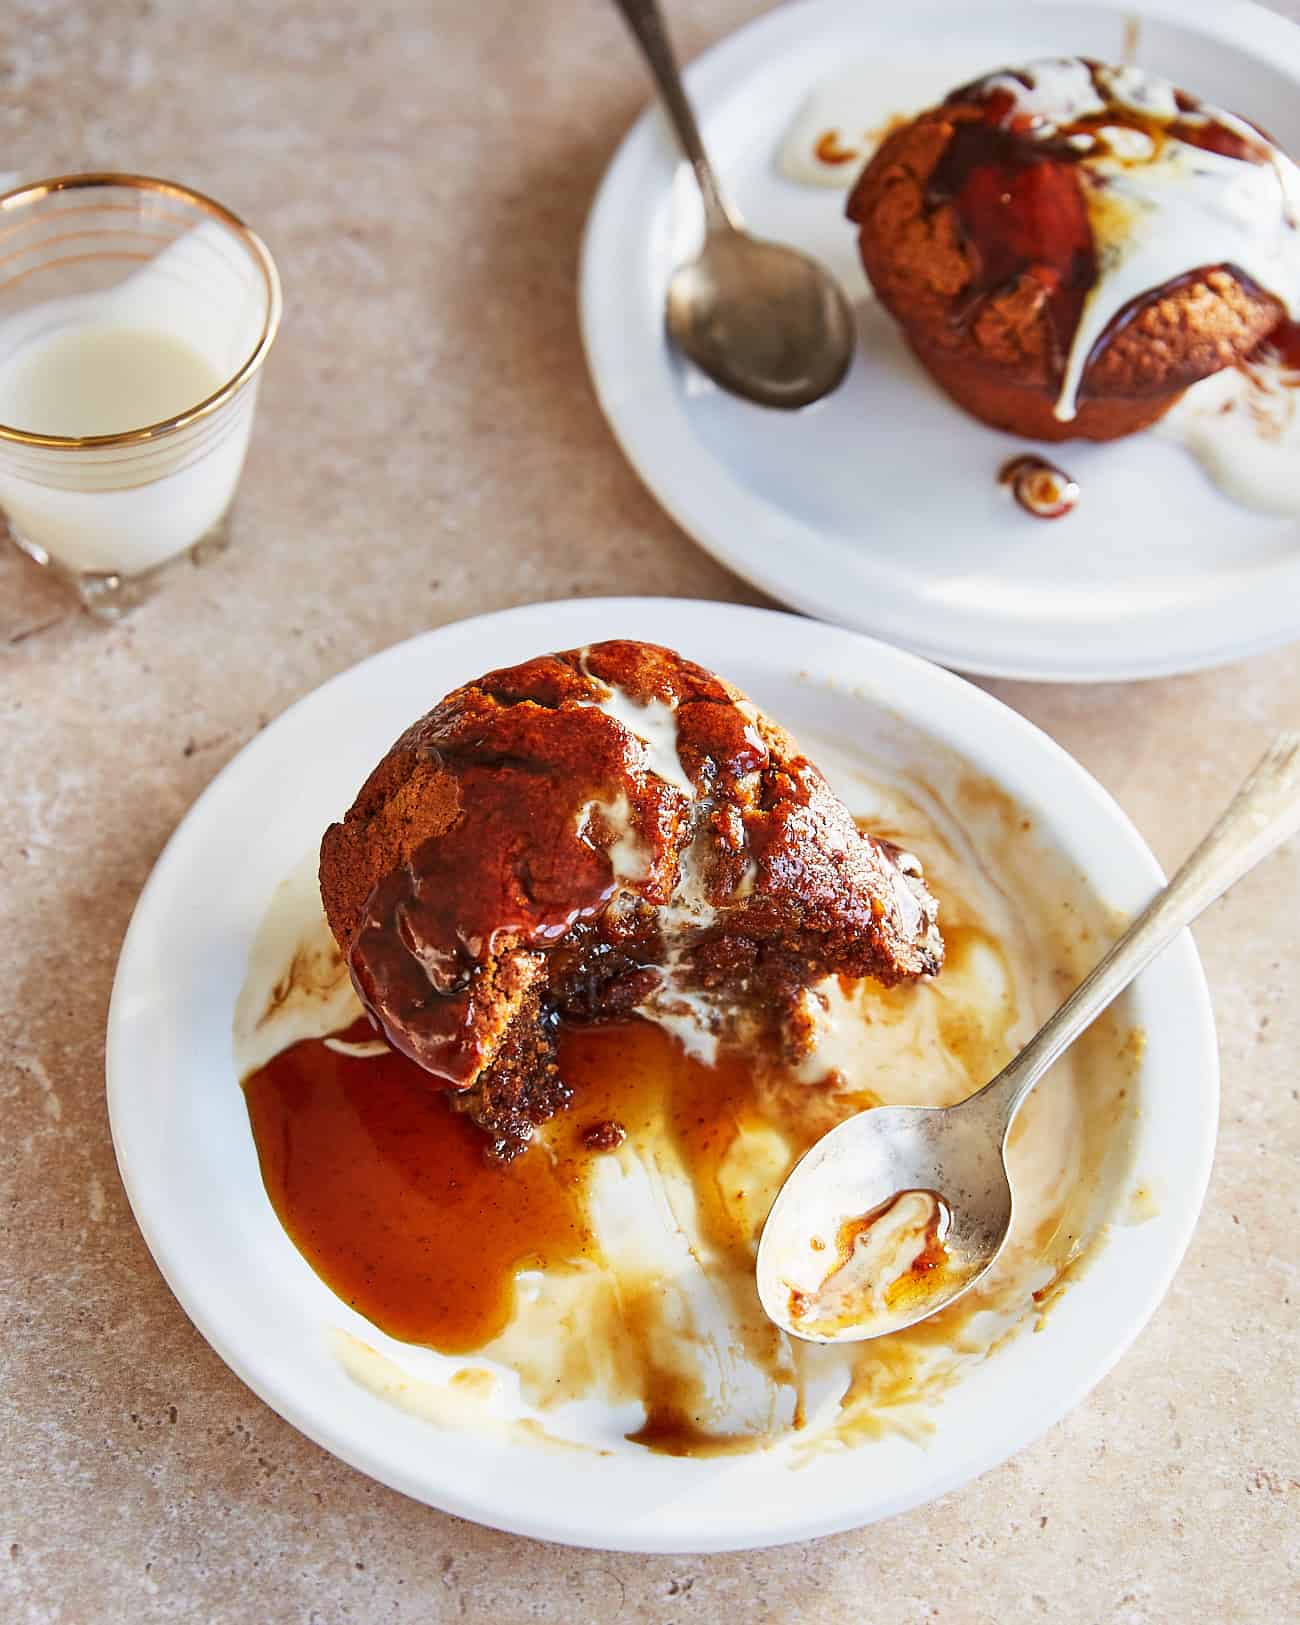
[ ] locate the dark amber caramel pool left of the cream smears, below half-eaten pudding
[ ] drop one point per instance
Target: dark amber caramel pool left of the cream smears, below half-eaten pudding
(388, 1195)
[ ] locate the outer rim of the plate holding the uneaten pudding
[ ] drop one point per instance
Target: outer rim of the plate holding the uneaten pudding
(711, 503)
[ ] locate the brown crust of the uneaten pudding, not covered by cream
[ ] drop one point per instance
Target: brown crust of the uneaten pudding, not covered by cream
(997, 350)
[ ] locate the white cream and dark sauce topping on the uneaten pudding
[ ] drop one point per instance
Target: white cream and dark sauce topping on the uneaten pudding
(1109, 186)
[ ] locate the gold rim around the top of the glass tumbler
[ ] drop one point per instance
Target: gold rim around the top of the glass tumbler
(258, 248)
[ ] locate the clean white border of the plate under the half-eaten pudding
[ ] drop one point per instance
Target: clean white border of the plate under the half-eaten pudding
(188, 1159)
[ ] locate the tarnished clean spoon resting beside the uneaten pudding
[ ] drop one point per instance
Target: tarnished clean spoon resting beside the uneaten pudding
(761, 319)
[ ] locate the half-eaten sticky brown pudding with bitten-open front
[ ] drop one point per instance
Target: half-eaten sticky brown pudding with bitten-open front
(592, 836)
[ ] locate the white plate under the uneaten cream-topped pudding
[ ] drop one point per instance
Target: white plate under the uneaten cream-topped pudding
(880, 508)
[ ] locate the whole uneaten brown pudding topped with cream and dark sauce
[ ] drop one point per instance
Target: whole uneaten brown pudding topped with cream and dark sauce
(1070, 246)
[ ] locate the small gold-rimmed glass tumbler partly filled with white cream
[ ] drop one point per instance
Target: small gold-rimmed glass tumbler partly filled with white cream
(136, 316)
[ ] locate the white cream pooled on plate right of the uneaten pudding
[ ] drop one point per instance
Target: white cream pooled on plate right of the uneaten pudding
(1244, 428)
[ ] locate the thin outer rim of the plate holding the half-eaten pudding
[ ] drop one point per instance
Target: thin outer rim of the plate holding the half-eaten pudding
(280, 1398)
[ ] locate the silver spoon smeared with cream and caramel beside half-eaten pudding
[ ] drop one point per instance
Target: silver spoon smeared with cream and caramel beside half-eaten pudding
(951, 1164)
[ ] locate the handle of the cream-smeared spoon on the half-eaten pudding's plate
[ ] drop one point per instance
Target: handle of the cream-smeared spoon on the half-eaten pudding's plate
(1263, 815)
